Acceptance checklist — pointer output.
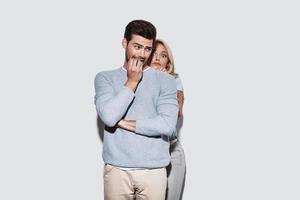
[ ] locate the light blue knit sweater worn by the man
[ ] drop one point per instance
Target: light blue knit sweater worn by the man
(154, 106)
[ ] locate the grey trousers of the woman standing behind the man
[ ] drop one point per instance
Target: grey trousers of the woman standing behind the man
(176, 172)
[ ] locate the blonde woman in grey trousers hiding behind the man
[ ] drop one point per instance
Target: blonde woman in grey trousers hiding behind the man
(162, 59)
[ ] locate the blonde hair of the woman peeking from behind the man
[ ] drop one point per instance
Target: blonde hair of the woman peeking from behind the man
(170, 68)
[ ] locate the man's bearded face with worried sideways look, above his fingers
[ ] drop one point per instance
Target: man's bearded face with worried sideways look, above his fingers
(138, 47)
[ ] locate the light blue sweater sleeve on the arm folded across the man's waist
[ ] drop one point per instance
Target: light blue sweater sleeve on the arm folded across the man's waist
(164, 123)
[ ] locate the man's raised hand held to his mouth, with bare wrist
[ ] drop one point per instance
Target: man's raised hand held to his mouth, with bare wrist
(134, 72)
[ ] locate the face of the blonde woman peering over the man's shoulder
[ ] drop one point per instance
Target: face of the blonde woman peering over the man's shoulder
(160, 58)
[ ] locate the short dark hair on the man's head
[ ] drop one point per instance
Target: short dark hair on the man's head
(141, 28)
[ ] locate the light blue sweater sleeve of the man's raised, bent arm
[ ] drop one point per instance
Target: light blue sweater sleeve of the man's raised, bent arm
(111, 106)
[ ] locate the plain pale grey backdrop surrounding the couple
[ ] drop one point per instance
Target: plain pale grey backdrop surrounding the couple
(239, 63)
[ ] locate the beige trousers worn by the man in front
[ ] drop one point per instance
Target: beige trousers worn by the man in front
(141, 184)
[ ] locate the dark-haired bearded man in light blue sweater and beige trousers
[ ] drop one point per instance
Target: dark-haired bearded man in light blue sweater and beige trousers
(138, 106)
